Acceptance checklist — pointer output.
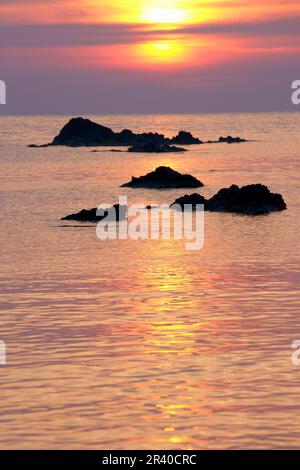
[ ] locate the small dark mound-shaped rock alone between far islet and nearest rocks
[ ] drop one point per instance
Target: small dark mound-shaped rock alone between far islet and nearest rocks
(164, 177)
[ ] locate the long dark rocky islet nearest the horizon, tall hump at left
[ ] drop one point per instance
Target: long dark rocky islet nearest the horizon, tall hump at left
(79, 132)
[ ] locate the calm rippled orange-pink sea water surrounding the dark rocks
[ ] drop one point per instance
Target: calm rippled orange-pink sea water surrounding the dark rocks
(143, 344)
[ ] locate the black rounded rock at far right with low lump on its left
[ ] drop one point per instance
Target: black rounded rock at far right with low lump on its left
(254, 199)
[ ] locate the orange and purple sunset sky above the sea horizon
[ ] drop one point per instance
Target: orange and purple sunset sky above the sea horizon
(139, 56)
